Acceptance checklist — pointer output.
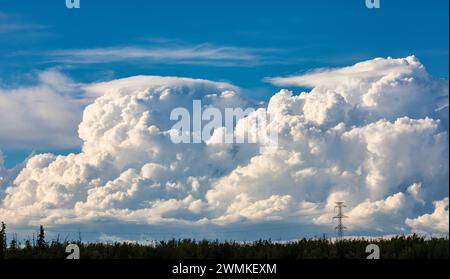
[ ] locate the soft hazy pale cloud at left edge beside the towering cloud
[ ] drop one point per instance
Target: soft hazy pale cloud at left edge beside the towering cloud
(44, 114)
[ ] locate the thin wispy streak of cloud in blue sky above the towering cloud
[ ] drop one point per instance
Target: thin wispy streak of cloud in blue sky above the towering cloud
(167, 53)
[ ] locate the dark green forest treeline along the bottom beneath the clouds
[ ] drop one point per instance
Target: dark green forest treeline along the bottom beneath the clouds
(400, 247)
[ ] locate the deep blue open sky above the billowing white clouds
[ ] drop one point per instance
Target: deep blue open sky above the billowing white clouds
(241, 42)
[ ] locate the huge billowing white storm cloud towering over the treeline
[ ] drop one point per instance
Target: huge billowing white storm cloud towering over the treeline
(374, 135)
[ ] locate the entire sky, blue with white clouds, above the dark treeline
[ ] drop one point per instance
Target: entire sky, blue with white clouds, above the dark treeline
(55, 62)
